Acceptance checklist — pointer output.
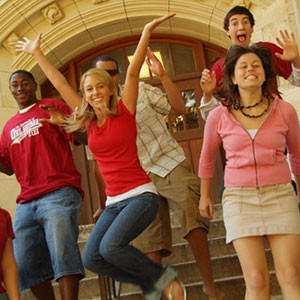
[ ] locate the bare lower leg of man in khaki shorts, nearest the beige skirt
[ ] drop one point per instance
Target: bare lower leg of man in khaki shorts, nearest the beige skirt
(197, 239)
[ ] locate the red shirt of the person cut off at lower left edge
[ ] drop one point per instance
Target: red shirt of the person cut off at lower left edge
(6, 232)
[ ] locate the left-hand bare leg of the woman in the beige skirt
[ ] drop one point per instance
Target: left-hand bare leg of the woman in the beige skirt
(252, 257)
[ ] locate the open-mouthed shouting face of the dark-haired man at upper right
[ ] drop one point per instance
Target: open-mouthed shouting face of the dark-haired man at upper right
(240, 30)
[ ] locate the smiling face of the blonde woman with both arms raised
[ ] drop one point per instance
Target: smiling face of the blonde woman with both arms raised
(96, 91)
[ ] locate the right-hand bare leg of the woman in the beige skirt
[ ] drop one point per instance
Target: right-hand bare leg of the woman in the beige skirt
(286, 255)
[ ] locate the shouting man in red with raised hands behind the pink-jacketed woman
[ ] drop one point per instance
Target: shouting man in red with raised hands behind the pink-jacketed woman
(238, 25)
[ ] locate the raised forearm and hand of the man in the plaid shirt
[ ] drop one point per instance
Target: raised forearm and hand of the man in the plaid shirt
(174, 97)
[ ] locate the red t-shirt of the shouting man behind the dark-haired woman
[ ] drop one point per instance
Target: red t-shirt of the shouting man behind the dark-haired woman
(282, 68)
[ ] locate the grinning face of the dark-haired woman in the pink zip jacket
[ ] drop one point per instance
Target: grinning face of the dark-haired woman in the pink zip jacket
(249, 72)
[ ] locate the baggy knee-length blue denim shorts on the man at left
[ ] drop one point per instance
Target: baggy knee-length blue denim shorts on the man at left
(46, 231)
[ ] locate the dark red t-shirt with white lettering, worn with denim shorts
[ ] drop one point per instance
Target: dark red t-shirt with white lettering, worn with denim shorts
(39, 154)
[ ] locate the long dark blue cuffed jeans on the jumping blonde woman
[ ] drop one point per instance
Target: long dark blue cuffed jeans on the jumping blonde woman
(108, 250)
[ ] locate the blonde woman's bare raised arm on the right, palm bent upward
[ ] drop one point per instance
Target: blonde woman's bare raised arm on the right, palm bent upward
(130, 93)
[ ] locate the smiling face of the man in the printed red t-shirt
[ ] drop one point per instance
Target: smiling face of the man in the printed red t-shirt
(23, 89)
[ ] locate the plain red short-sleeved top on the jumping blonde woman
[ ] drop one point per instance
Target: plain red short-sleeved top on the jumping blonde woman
(114, 147)
